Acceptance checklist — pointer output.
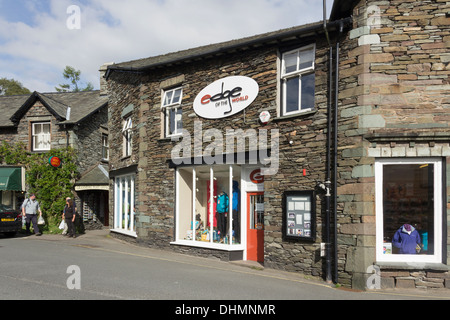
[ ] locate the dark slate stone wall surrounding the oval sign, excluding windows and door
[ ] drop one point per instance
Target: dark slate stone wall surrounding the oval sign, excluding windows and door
(141, 95)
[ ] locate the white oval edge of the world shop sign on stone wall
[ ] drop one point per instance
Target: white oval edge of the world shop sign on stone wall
(226, 97)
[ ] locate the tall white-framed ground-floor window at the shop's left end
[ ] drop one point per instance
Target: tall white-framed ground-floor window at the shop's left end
(124, 216)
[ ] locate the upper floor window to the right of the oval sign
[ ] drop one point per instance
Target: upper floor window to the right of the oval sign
(298, 80)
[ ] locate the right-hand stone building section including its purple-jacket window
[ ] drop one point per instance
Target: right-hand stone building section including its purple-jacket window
(393, 114)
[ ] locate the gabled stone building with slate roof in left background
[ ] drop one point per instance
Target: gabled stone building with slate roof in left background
(46, 121)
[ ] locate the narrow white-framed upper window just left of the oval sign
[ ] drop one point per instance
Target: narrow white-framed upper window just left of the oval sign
(173, 114)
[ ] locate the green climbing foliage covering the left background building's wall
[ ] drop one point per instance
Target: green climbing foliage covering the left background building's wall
(51, 185)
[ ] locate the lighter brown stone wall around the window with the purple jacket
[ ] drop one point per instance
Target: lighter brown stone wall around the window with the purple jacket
(394, 102)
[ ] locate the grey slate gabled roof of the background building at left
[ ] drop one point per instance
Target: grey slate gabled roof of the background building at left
(82, 104)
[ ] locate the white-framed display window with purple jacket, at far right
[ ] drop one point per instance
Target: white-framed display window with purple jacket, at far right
(409, 210)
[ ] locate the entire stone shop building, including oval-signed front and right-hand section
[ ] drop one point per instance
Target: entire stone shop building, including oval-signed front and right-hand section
(387, 106)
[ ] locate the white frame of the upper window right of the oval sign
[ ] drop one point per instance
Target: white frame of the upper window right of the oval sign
(298, 73)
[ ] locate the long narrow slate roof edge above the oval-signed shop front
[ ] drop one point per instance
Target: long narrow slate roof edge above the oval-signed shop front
(280, 36)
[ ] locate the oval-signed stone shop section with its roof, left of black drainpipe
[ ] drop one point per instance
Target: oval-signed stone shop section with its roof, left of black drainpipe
(299, 140)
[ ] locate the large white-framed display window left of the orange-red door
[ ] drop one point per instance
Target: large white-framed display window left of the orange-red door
(208, 206)
